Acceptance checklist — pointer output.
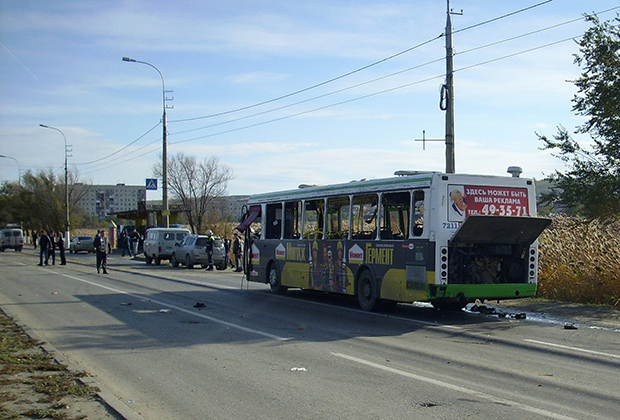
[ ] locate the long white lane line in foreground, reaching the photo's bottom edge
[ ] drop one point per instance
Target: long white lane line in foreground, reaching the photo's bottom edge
(456, 388)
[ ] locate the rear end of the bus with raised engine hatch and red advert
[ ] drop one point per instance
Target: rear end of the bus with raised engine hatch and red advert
(486, 239)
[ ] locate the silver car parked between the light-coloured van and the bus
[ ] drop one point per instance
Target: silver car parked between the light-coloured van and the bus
(192, 251)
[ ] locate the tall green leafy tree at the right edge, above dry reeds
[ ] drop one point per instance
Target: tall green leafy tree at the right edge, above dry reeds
(590, 186)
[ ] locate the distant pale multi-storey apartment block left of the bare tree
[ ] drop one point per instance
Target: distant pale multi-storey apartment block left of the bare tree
(103, 200)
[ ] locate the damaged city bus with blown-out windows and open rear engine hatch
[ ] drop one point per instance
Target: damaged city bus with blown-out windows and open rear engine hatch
(447, 239)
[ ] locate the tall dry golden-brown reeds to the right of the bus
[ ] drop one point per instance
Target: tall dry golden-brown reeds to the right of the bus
(580, 261)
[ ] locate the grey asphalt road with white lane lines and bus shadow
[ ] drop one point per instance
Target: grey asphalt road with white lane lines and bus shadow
(189, 344)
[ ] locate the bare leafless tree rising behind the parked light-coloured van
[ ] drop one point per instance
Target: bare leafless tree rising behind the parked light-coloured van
(196, 184)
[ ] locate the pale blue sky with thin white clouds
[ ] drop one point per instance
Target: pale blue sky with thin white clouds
(61, 65)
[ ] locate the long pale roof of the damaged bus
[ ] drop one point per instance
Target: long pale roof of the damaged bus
(407, 179)
